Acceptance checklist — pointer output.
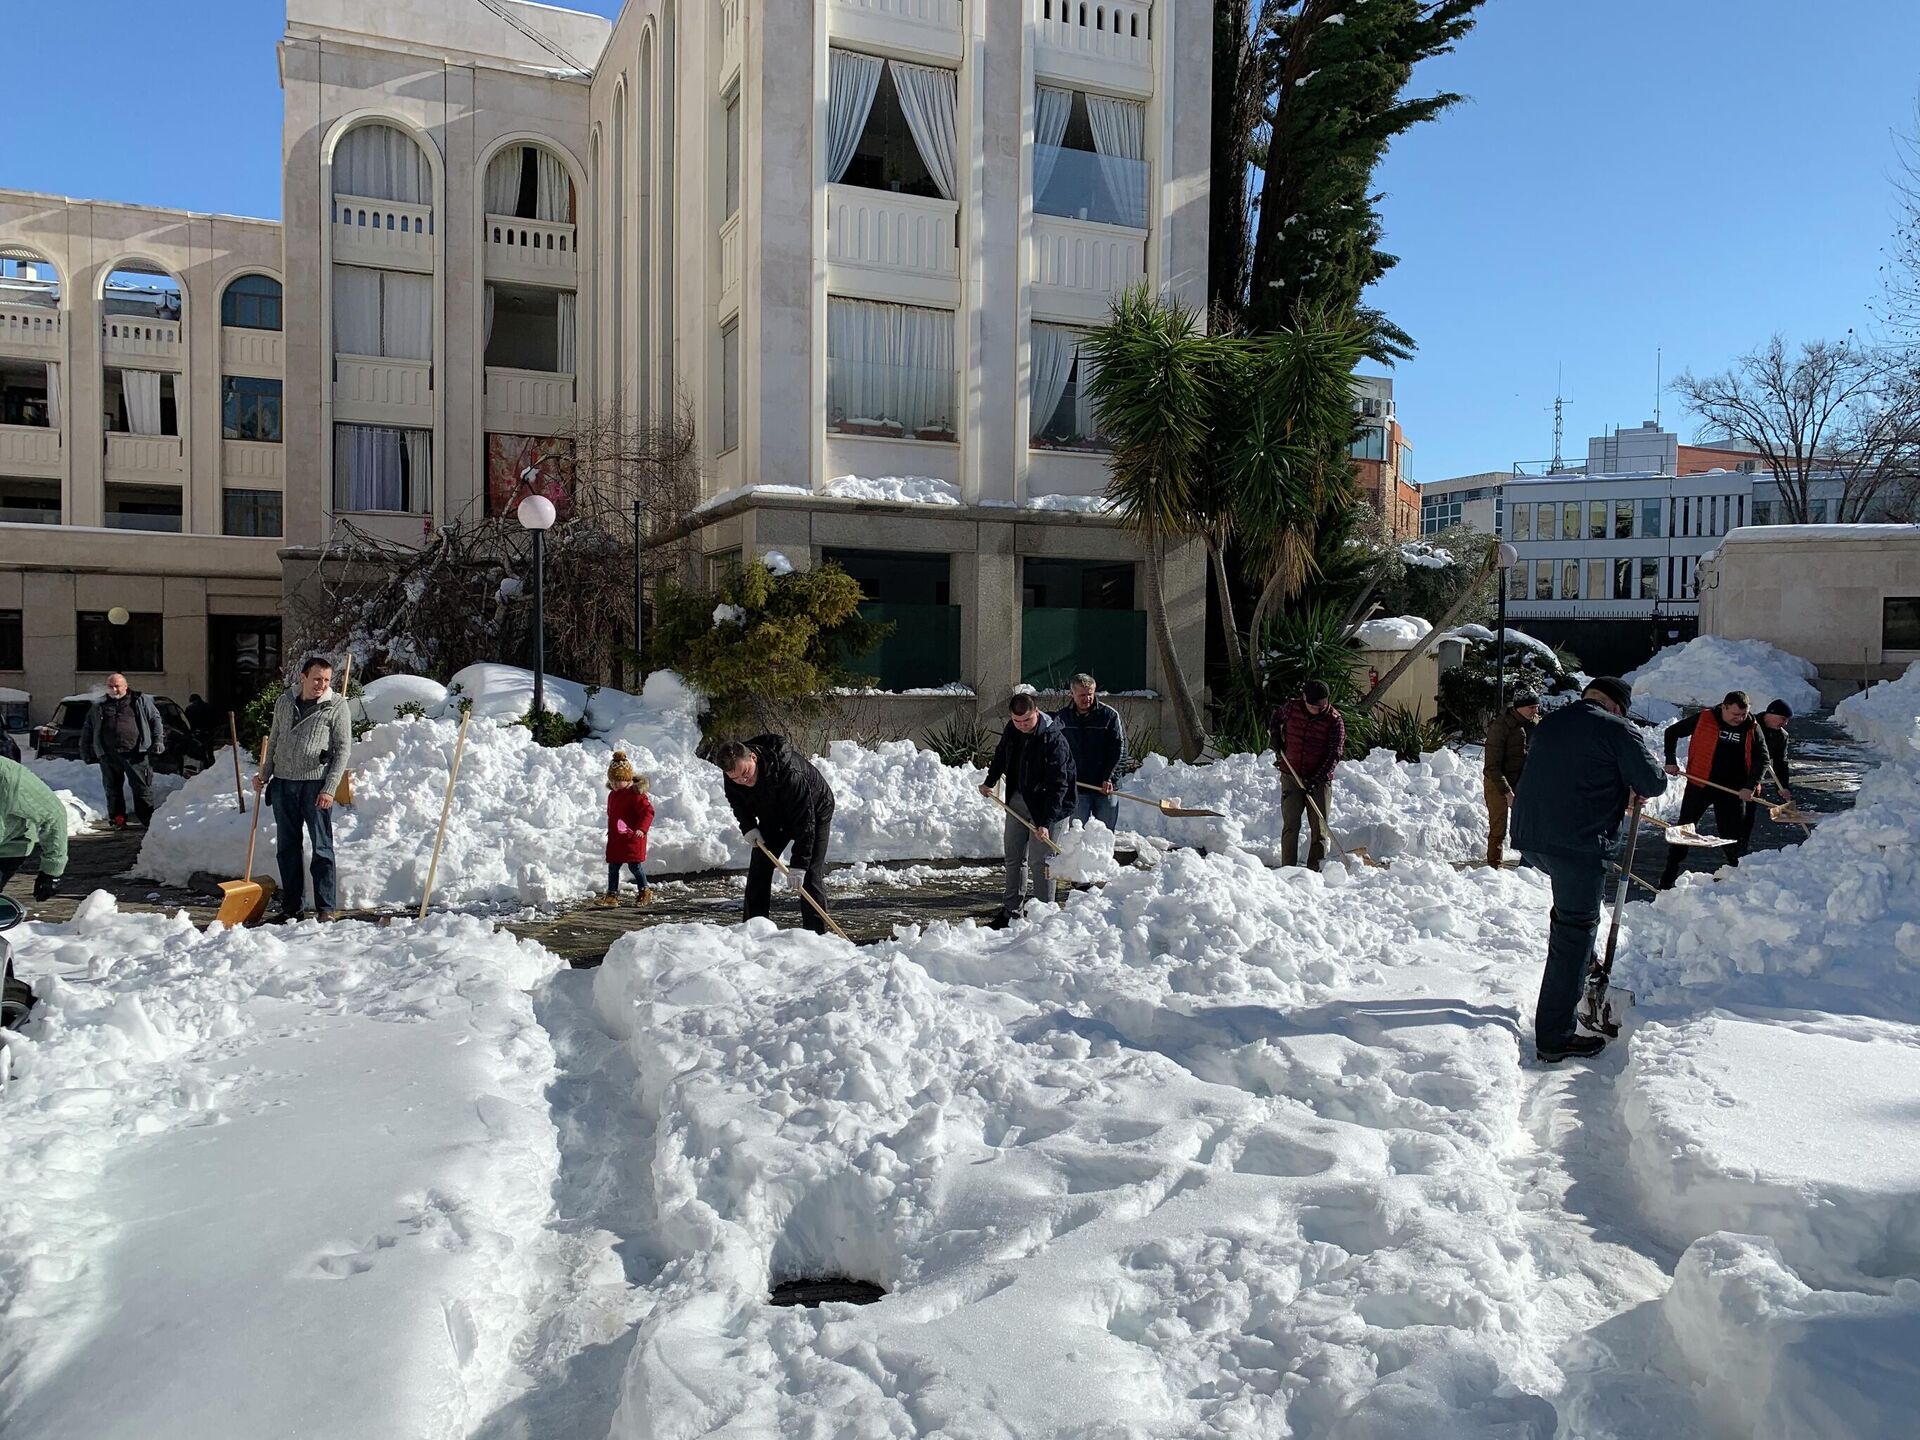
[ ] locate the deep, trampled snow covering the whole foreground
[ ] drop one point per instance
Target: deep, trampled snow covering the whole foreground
(1211, 1151)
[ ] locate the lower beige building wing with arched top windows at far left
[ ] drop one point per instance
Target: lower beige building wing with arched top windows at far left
(141, 450)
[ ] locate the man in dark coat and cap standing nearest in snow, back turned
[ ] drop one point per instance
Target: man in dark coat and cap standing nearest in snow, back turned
(1585, 765)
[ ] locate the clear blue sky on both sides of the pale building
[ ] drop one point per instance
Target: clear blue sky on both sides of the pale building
(1627, 176)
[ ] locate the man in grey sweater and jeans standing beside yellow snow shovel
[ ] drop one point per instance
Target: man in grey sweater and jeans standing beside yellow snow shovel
(306, 757)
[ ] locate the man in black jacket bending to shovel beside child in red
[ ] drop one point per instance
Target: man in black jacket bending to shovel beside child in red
(780, 798)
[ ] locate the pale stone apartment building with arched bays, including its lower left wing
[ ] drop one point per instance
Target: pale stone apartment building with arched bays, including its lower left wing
(852, 239)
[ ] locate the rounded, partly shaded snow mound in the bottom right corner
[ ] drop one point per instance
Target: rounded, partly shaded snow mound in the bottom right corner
(1779, 1360)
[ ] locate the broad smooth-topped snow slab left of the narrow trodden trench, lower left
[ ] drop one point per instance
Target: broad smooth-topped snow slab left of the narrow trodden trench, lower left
(256, 1178)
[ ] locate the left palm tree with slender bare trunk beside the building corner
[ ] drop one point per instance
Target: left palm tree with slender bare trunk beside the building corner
(1153, 389)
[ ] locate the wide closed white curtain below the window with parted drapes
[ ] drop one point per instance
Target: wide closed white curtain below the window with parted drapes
(892, 364)
